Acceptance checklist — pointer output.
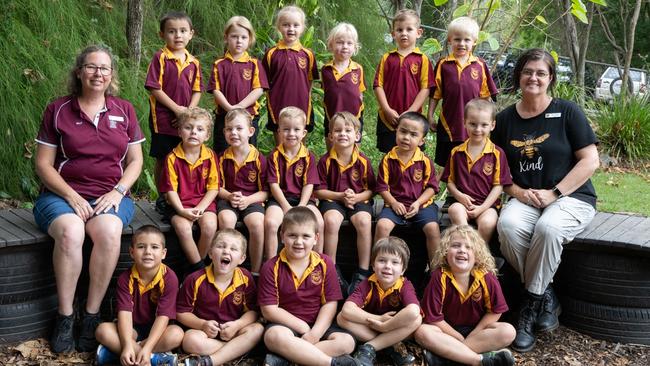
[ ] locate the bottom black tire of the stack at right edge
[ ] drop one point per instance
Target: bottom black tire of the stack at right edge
(617, 324)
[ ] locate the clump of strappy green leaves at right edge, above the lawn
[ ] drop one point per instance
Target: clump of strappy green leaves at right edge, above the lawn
(624, 128)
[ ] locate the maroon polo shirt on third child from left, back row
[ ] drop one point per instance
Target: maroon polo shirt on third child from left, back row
(290, 71)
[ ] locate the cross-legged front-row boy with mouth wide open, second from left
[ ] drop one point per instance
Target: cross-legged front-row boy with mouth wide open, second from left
(218, 303)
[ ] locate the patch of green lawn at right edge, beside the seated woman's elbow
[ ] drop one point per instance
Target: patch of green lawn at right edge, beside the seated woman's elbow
(620, 191)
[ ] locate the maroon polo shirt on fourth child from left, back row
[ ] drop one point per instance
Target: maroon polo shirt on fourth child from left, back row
(343, 91)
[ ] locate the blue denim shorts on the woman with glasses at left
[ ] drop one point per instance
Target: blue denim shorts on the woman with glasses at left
(49, 206)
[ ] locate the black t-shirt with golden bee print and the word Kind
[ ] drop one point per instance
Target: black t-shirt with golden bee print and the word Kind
(540, 149)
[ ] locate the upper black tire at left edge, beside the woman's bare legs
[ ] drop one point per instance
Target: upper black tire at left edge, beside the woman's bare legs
(26, 273)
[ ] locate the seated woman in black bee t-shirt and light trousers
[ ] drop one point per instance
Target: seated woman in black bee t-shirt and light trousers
(551, 151)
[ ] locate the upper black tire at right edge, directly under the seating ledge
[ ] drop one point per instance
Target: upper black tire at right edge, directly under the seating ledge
(605, 278)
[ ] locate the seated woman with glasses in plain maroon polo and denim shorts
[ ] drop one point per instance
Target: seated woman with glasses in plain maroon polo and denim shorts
(88, 156)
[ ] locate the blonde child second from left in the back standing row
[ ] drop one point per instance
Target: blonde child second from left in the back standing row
(237, 79)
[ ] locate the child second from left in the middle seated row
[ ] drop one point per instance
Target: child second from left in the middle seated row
(244, 190)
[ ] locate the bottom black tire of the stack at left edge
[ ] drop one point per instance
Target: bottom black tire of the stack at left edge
(27, 320)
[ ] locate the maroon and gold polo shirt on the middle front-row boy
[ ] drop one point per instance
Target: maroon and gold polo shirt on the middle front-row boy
(302, 297)
